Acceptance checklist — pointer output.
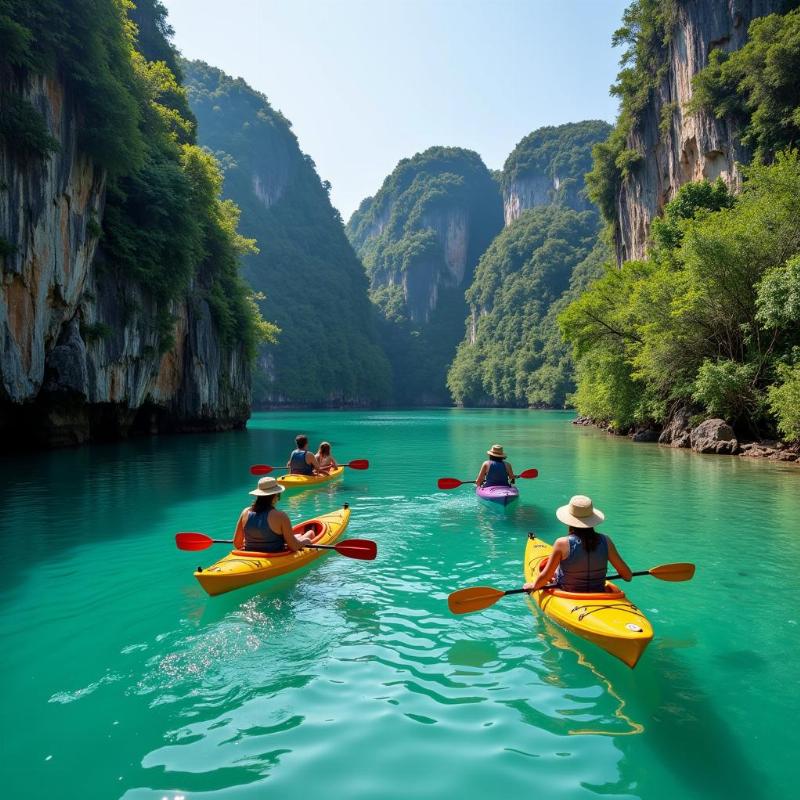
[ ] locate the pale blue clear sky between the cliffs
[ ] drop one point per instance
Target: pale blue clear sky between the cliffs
(366, 83)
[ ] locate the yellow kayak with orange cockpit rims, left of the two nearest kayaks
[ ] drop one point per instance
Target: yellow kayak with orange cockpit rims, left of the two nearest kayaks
(244, 567)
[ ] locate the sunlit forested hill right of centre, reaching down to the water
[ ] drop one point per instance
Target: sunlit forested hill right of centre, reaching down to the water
(513, 354)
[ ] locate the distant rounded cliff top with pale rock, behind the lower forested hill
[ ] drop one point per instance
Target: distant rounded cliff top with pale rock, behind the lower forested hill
(547, 167)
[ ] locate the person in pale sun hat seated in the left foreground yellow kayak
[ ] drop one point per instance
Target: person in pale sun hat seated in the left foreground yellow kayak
(264, 529)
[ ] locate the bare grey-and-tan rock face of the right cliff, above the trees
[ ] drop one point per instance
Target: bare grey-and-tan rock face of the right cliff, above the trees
(679, 147)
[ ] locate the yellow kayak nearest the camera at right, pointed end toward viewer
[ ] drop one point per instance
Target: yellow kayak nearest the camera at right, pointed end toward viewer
(608, 619)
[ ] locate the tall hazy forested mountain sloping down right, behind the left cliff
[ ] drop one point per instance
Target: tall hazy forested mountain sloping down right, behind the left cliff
(313, 284)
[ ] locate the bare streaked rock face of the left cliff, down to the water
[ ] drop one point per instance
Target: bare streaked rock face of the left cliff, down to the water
(80, 354)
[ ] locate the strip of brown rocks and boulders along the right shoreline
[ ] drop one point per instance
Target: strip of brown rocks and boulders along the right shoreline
(711, 436)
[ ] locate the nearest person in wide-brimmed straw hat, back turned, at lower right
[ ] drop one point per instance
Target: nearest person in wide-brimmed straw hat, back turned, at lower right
(579, 560)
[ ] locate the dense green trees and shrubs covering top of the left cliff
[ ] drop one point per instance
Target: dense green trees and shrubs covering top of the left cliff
(164, 223)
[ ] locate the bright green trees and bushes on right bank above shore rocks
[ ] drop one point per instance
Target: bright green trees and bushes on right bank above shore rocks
(710, 320)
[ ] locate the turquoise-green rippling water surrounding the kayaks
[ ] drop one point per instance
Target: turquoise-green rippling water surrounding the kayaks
(122, 679)
